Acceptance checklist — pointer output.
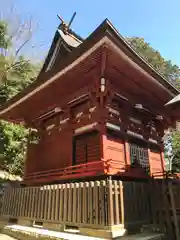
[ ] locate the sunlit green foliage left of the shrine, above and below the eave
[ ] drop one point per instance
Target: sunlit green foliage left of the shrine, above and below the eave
(16, 73)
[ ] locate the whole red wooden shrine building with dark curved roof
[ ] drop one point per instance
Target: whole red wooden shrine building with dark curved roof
(96, 109)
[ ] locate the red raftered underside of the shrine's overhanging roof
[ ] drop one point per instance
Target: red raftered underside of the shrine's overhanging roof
(135, 83)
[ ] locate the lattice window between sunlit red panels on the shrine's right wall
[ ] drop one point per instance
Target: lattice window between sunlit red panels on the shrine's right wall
(139, 155)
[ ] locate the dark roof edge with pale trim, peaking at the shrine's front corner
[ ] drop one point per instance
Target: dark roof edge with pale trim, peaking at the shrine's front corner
(104, 34)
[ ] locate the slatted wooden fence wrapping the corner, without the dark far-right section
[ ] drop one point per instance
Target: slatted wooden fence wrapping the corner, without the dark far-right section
(93, 204)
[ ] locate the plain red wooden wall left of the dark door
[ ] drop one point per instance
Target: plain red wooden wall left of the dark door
(54, 151)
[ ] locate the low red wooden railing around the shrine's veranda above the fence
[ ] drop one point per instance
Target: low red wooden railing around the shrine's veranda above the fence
(95, 168)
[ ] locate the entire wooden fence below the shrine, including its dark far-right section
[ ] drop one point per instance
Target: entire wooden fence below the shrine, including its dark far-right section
(99, 204)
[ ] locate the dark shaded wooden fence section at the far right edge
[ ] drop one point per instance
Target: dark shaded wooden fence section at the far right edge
(165, 207)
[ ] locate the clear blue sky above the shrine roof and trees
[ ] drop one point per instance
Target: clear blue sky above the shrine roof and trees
(158, 21)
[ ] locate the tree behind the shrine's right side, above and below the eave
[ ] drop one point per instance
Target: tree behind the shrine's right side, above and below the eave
(171, 73)
